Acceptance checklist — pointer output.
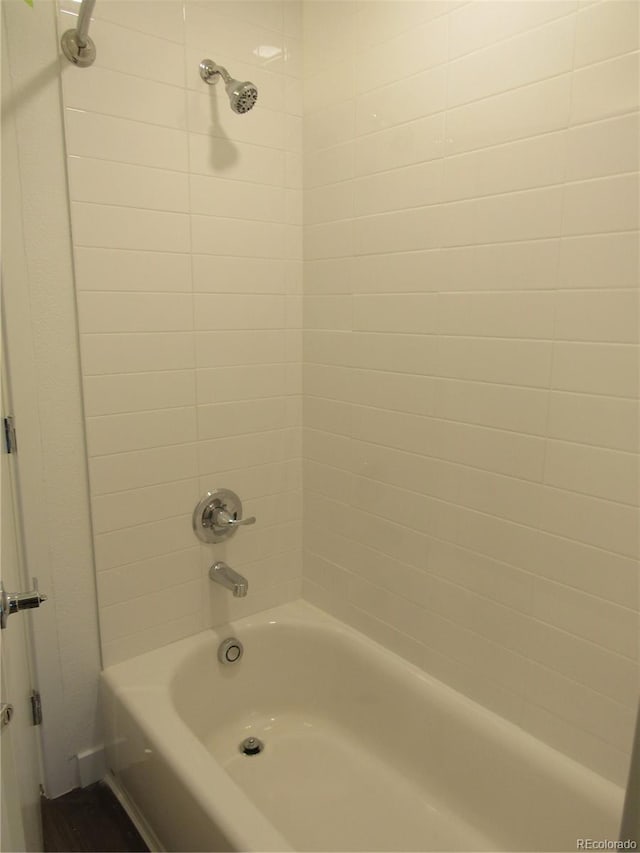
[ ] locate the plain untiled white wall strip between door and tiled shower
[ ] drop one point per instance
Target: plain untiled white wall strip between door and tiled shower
(41, 335)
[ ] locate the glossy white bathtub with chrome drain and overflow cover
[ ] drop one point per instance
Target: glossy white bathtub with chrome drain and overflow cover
(362, 751)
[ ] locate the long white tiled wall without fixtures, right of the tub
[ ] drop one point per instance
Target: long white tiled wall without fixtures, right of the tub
(470, 358)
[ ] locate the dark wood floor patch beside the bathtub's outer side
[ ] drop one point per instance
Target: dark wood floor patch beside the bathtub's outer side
(89, 820)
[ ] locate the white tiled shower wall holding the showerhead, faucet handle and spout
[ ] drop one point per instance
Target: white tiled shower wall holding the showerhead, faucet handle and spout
(187, 241)
